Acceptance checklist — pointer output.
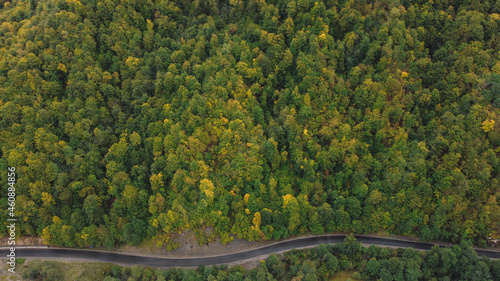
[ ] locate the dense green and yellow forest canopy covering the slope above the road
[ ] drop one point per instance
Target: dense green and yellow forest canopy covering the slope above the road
(134, 120)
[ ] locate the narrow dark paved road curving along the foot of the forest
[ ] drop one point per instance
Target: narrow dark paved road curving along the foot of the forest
(101, 256)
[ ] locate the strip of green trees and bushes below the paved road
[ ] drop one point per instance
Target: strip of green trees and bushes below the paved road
(371, 264)
